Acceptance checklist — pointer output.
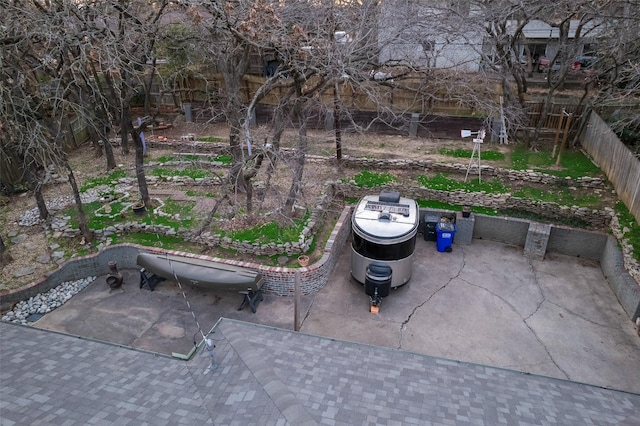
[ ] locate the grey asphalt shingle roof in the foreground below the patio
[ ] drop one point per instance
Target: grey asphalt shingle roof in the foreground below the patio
(270, 376)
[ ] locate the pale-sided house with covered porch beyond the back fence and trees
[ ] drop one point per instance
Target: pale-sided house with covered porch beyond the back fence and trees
(452, 35)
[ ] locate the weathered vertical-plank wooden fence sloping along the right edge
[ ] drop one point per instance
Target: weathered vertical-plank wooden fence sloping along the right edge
(616, 160)
